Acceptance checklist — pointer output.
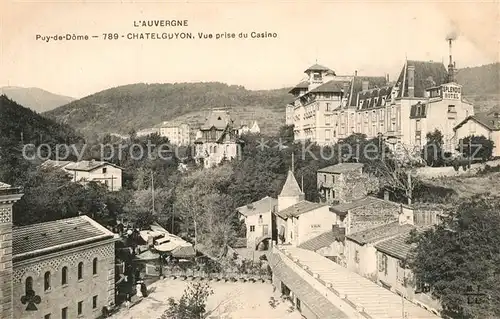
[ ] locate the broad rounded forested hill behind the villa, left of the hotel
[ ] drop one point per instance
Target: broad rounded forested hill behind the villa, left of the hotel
(137, 106)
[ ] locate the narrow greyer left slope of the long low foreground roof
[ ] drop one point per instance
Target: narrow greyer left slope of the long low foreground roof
(306, 293)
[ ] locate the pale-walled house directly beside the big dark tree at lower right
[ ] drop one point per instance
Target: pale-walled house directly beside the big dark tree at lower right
(394, 274)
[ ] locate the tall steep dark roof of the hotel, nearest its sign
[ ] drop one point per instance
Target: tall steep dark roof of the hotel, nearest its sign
(427, 74)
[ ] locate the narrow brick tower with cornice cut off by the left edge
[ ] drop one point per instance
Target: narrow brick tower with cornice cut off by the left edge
(8, 196)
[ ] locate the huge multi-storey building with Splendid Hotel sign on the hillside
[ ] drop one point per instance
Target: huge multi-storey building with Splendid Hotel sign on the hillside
(425, 97)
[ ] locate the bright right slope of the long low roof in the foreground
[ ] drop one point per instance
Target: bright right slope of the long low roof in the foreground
(376, 301)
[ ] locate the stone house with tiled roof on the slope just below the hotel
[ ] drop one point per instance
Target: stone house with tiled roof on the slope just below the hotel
(344, 182)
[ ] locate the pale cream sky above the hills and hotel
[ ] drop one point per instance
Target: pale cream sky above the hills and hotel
(372, 37)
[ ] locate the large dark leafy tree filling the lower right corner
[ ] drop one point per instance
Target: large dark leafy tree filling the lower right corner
(461, 256)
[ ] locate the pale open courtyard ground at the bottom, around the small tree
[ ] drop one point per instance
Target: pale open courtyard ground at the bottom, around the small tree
(238, 300)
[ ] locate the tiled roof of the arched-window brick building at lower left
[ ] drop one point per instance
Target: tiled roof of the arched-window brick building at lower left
(56, 234)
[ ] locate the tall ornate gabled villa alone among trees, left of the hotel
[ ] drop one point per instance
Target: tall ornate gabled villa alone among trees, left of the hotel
(219, 140)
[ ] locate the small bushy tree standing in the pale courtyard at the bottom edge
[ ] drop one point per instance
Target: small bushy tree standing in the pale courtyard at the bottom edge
(192, 304)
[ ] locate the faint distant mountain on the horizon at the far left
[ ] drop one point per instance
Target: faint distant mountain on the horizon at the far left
(34, 98)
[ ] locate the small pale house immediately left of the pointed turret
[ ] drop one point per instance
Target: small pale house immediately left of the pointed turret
(258, 220)
